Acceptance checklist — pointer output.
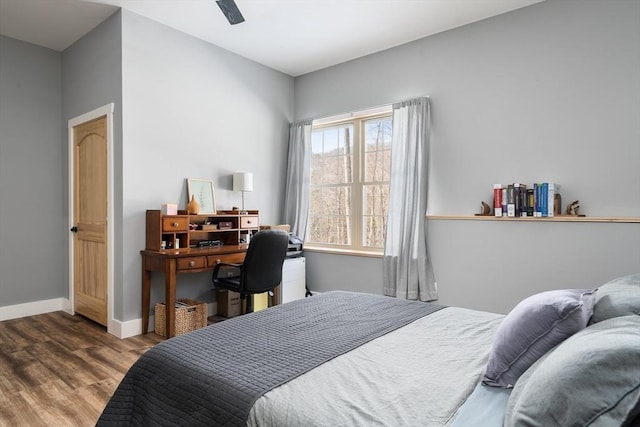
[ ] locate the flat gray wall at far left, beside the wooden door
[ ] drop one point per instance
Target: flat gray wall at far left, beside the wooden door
(32, 207)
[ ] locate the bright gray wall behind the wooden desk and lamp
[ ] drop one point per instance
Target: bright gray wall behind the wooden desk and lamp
(193, 110)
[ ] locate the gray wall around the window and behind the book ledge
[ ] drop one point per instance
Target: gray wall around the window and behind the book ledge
(545, 93)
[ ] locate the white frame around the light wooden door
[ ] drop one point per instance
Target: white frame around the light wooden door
(105, 110)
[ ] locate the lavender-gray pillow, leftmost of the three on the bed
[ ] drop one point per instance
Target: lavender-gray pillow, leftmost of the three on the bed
(533, 327)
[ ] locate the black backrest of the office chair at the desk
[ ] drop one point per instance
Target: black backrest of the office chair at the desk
(263, 262)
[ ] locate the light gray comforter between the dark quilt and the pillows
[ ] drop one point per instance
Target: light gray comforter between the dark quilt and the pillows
(417, 375)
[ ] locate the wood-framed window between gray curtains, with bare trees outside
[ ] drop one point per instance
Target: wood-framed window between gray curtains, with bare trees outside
(350, 169)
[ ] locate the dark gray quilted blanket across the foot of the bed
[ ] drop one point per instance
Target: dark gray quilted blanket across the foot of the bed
(214, 375)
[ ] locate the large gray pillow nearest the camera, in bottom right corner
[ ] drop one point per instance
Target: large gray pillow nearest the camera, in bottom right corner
(591, 379)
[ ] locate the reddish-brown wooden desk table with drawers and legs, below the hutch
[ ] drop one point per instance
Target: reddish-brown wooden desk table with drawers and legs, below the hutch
(174, 262)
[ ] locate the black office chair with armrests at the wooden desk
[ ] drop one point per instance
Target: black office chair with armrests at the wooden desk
(261, 270)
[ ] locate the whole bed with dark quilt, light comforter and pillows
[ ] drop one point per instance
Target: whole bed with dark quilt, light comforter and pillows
(566, 357)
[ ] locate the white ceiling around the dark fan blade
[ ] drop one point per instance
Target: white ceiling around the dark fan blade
(292, 36)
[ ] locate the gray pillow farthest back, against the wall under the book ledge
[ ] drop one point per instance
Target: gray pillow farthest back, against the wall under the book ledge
(619, 297)
